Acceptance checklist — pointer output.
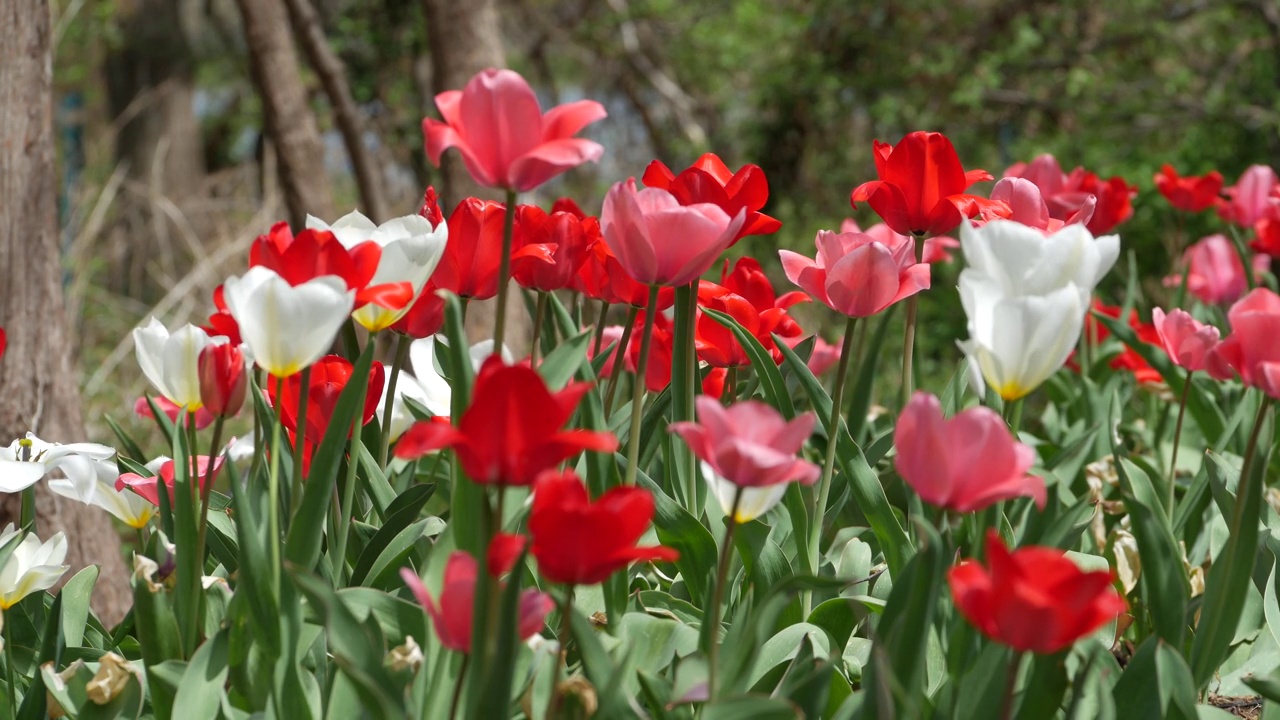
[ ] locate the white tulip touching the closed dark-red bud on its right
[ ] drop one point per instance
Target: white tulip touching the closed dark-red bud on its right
(171, 361)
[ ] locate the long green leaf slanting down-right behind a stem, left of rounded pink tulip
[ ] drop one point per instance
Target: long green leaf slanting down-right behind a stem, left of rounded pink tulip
(866, 487)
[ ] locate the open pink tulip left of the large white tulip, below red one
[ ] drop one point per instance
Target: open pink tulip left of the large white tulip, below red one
(857, 275)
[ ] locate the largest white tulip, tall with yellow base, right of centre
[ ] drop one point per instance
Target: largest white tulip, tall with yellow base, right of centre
(1026, 295)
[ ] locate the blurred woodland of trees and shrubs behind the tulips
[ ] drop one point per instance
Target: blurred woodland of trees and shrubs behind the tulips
(188, 127)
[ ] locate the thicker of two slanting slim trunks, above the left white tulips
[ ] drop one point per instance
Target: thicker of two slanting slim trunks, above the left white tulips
(287, 116)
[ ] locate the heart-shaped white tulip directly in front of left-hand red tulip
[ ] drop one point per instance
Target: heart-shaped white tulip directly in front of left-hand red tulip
(287, 327)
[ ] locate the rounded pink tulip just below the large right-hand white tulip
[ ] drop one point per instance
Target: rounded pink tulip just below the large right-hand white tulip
(963, 464)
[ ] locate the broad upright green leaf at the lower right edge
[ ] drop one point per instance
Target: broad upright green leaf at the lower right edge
(1232, 569)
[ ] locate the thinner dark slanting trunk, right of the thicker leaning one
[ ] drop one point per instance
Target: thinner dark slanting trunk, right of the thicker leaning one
(346, 115)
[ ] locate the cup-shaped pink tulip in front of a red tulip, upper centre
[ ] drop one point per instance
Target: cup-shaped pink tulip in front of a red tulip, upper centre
(660, 241)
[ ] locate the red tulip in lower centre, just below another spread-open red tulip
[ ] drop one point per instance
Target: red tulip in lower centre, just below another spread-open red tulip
(580, 543)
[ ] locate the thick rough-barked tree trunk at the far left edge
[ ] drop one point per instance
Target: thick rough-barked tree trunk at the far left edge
(38, 377)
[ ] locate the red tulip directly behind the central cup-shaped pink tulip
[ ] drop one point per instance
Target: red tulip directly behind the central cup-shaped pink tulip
(708, 180)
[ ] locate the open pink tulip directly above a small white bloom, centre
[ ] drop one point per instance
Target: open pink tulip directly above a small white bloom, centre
(749, 444)
